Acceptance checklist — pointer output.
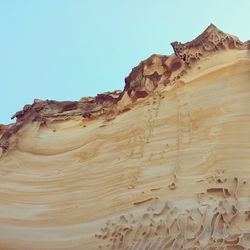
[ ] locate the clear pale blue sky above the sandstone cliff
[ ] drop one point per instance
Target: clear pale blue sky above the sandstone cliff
(67, 49)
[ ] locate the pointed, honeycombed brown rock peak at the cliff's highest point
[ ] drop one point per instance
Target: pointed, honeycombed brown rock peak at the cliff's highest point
(211, 40)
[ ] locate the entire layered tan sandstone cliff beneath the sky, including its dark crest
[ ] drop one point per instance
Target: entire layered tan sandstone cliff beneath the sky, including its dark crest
(163, 164)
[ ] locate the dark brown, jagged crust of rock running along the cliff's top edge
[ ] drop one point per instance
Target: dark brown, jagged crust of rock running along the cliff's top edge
(151, 75)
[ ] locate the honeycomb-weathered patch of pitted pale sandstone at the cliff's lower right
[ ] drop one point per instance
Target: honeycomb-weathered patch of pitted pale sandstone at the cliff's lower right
(203, 226)
